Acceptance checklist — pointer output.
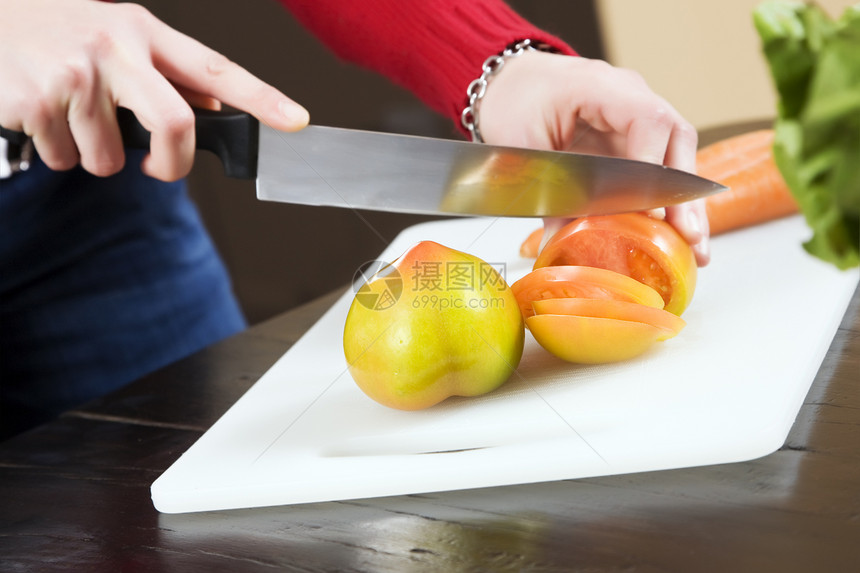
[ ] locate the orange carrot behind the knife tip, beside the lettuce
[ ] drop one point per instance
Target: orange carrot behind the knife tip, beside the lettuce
(757, 192)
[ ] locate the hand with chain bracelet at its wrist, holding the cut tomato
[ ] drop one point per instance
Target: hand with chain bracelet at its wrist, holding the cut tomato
(550, 101)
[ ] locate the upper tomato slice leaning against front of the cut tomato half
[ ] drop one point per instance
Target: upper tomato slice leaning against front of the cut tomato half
(581, 282)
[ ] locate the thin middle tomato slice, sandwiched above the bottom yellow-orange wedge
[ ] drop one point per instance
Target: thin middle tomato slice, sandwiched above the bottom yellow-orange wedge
(617, 309)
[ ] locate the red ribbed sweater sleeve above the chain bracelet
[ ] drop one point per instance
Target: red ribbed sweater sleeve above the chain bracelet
(434, 48)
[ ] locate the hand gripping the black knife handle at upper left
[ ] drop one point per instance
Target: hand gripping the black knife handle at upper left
(65, 66)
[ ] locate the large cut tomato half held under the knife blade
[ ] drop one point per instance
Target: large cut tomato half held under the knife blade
(633, 244)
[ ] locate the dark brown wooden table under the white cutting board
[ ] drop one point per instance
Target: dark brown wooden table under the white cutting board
(75, 493)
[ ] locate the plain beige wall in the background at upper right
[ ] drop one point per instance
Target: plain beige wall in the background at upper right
(704, 57)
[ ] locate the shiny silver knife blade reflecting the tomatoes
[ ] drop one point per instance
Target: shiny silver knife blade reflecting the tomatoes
(386, 172)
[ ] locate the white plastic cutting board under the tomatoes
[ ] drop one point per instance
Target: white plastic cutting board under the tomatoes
(726, 389)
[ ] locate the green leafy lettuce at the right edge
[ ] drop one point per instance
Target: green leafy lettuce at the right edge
(815, 65)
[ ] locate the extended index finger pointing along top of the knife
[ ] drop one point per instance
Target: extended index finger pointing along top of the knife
(206, 71)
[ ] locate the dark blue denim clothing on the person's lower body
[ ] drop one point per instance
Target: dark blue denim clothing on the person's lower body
(102, 280)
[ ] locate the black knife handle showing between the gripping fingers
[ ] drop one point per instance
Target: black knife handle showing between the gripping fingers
(231, 135)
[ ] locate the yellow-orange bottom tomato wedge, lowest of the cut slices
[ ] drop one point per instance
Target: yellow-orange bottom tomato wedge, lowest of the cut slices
(591, 340)
